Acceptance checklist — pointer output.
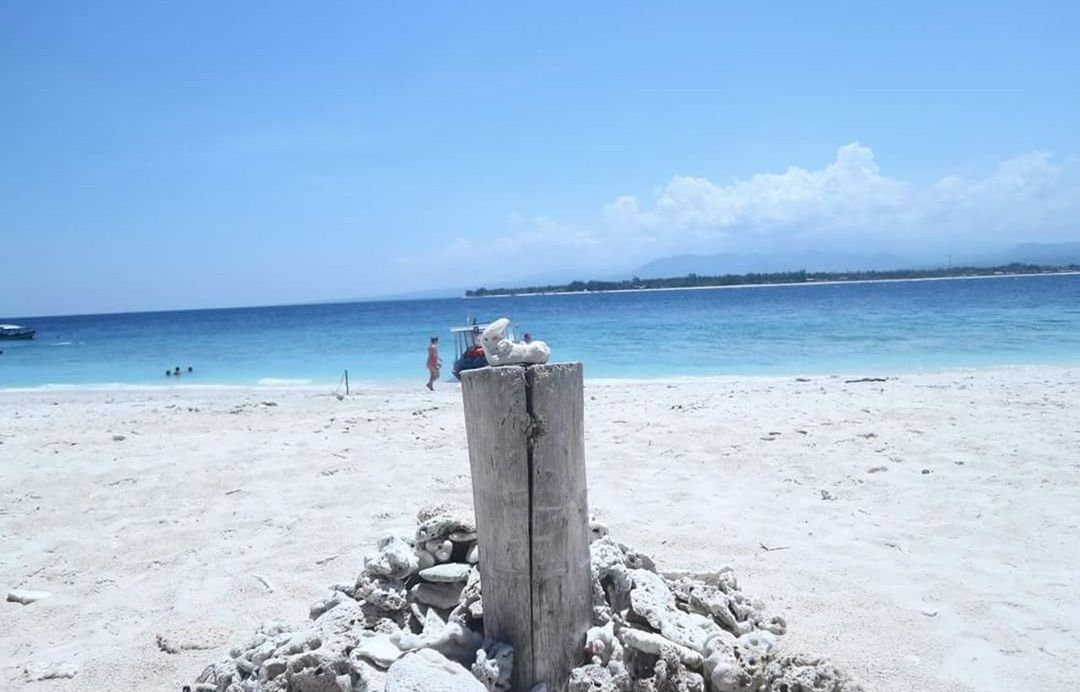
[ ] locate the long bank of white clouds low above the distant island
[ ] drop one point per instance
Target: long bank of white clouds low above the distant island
(847, 205)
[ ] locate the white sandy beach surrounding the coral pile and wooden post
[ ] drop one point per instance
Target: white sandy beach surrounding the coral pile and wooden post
(921, 532)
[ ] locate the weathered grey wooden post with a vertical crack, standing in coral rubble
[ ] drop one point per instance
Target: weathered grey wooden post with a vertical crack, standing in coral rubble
(526, 452)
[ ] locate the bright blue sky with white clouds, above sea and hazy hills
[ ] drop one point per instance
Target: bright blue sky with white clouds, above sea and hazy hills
(193, 155)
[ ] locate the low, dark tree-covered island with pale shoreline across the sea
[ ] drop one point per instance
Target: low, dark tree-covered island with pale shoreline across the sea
(694, 281)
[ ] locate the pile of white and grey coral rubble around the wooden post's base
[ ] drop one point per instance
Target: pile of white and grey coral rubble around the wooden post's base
(414, 621)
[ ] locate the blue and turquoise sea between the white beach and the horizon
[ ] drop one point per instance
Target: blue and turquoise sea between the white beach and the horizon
(848, 329)
